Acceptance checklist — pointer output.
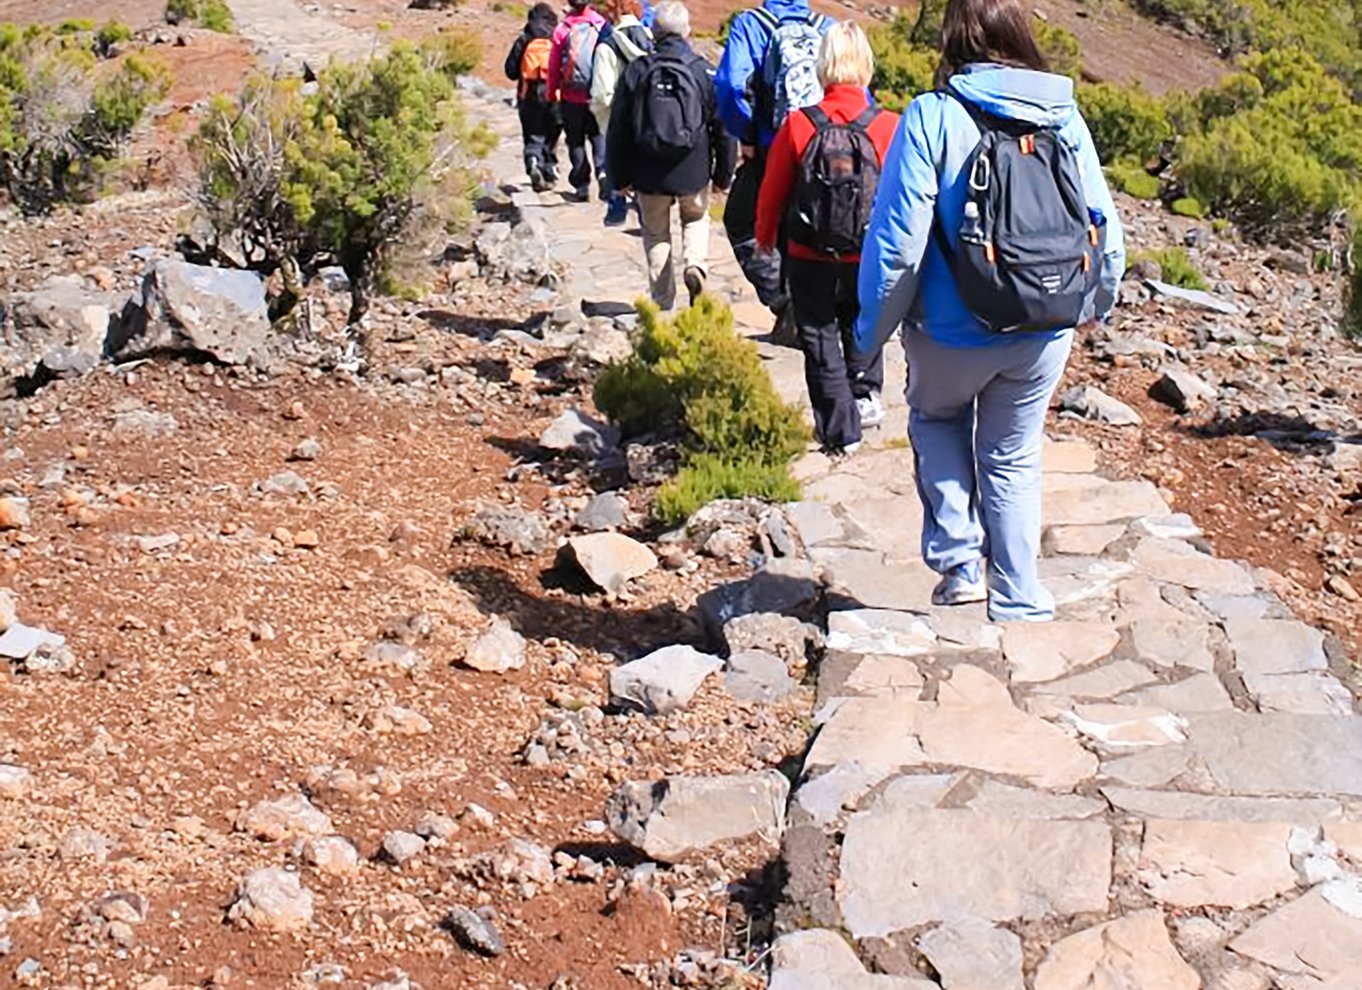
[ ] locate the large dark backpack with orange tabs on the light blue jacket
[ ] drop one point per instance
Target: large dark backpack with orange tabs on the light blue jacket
(1030, 253)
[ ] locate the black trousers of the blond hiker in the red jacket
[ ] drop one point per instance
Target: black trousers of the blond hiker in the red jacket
(826, 307)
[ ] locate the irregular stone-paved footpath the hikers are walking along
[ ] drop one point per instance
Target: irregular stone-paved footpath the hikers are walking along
(1162, 791)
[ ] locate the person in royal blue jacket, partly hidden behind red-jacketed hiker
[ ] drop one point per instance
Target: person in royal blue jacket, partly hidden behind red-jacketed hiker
(751, 122)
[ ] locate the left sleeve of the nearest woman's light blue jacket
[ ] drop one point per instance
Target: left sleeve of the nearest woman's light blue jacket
(901, 228)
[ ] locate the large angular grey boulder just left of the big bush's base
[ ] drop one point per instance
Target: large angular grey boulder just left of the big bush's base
(193, 308)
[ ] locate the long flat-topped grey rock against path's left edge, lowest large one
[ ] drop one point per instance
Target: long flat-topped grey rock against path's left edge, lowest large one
(672, 819)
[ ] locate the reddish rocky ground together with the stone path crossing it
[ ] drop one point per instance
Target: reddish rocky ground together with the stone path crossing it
(355, 661)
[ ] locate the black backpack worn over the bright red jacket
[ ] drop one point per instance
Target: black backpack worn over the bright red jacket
(836, 187)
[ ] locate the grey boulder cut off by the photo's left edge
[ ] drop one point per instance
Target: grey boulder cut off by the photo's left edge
(61, 328)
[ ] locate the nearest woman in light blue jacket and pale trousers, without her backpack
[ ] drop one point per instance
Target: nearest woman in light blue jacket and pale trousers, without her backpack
(979, 398)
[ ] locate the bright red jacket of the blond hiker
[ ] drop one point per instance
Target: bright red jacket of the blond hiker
(842, 104)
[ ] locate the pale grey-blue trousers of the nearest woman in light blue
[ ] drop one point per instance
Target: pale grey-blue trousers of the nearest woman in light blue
(977, 430)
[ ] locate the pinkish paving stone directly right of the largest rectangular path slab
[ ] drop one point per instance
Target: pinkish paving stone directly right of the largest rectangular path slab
(1216, 864)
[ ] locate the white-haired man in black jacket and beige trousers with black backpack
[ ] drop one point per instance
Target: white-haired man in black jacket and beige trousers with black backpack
(667, 142)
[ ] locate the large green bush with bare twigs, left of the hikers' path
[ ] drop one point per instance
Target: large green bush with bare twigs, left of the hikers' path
(343, 175)
